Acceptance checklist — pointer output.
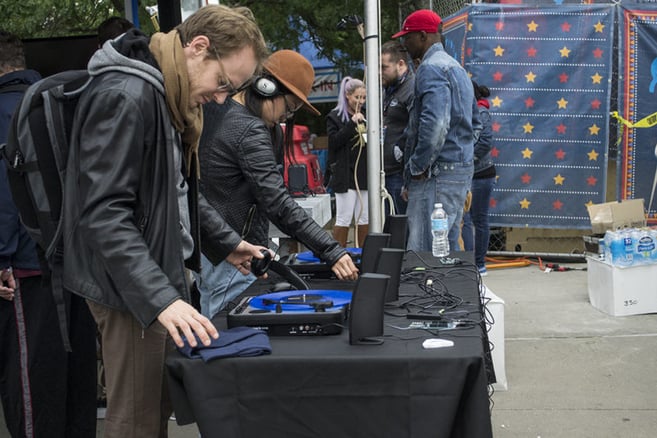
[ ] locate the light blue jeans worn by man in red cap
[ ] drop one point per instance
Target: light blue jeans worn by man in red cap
(449, 185)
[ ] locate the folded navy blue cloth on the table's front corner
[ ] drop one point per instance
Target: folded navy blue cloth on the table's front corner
(234, 342)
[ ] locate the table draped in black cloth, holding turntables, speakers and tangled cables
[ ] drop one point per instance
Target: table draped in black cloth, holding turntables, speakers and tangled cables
(321, 386)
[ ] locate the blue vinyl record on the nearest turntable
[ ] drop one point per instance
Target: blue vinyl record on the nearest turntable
(302, 300)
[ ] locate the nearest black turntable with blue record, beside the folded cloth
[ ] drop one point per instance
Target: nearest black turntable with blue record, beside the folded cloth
(294, 313)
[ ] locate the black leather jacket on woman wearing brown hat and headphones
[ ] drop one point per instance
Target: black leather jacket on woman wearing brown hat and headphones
(240, 178)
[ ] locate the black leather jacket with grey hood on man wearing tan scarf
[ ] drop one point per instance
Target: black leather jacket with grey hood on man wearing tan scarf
(122, 228)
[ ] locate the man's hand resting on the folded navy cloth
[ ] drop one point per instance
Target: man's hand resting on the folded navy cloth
(180, 317)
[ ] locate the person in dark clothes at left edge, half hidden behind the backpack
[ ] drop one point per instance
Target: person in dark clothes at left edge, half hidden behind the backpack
(45, 390)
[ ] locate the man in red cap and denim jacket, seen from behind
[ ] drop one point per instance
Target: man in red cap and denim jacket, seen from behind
(441, 132)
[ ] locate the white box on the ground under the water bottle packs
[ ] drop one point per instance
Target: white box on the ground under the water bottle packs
(620, 291)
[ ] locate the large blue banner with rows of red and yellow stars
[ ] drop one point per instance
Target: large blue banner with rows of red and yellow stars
(548, 70)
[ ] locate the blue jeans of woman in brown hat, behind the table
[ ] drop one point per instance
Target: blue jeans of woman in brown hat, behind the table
(219, 285)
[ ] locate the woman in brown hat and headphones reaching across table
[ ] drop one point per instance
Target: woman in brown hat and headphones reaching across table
(241, 154)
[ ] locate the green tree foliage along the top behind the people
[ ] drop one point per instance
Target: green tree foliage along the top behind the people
(285, 23)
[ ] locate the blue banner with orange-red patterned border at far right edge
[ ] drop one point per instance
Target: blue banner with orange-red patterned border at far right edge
(636, 100)
